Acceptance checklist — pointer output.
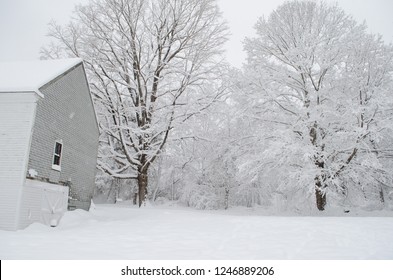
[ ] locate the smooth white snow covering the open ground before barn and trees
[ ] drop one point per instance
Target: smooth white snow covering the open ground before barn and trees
(113, 232)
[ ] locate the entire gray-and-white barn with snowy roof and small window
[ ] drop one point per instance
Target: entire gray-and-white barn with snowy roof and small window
(48, 141)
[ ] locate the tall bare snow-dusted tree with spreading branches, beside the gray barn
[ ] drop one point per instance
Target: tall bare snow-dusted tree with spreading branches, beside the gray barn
(149, 64)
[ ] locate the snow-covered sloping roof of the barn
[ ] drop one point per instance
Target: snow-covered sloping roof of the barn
(32, 75)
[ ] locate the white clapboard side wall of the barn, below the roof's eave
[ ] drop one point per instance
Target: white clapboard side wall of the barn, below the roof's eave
(17, 111)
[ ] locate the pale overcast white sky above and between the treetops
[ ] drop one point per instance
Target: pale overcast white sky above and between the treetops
(23, 23)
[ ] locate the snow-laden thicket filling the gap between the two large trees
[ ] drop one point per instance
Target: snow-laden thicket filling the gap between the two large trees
(199, 165)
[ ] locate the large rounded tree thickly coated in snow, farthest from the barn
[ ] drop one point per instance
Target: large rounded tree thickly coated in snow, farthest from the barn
(321, 88)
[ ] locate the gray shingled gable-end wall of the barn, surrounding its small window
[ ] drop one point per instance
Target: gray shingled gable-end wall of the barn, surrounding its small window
(66, 113)
